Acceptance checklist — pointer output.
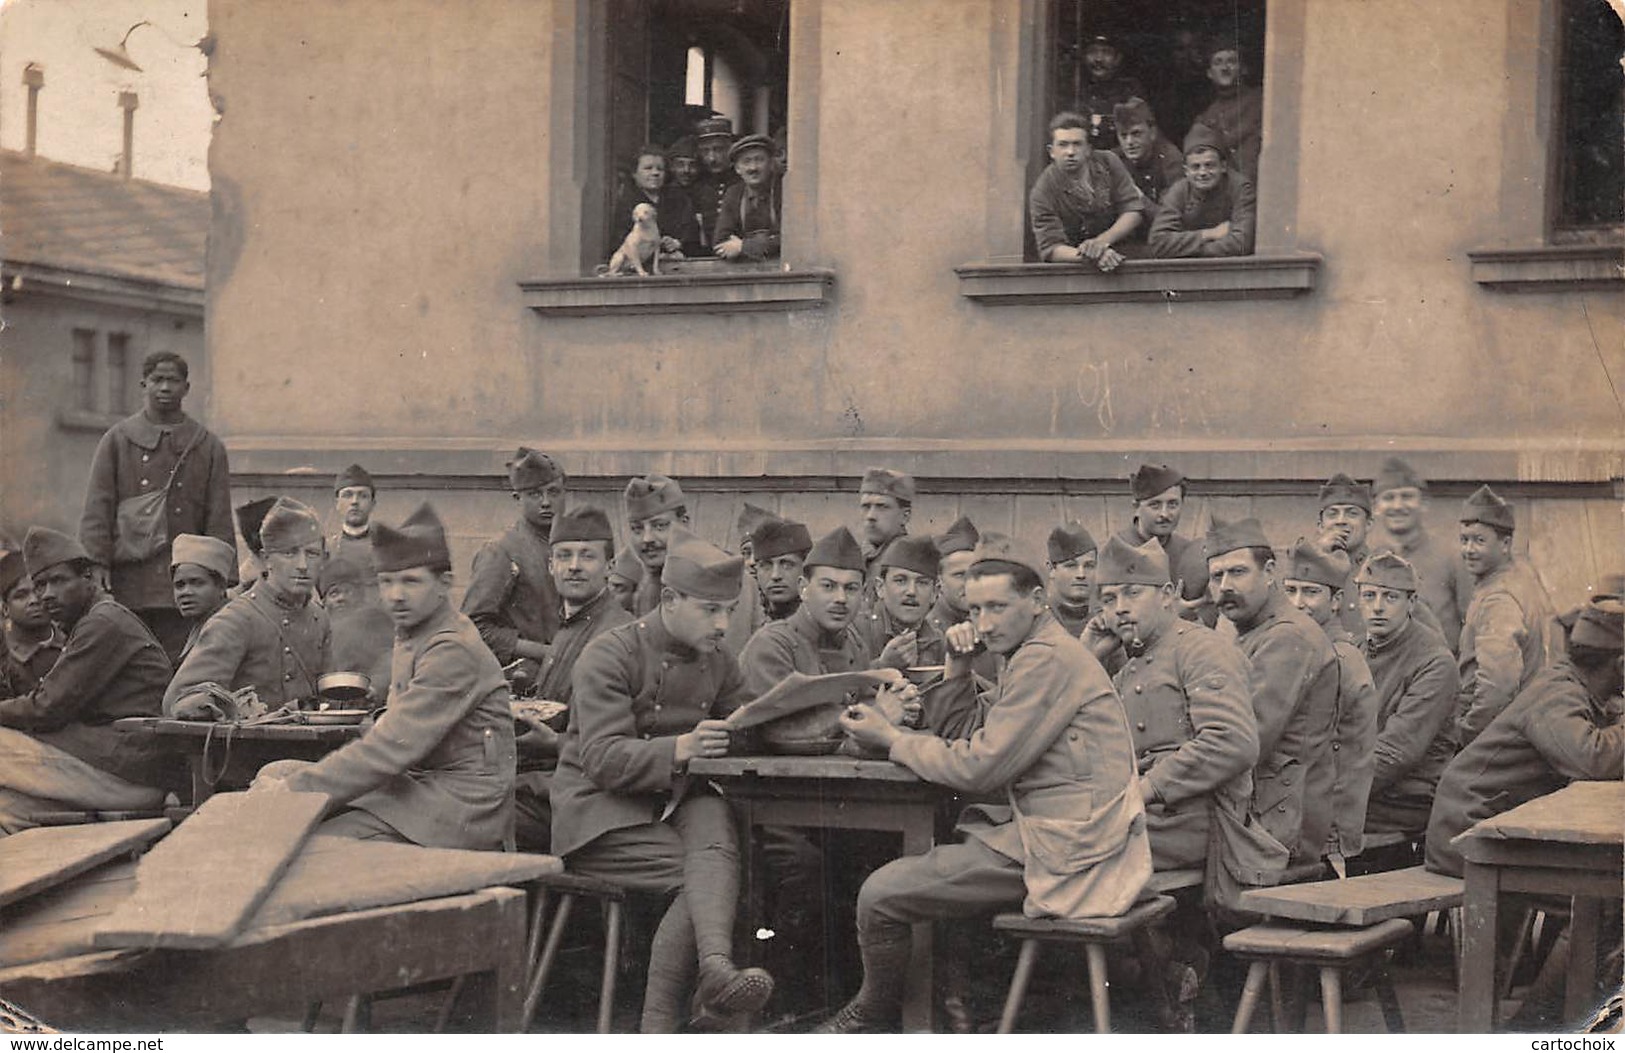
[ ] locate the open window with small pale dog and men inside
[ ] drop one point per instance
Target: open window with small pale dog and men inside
(691, 123)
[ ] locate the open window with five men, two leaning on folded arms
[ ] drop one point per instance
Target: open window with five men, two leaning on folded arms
(1142, 80)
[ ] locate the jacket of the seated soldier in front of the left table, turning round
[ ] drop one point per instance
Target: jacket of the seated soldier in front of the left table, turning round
(438, 763)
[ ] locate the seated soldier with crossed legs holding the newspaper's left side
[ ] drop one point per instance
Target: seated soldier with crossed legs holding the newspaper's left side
(649, 698)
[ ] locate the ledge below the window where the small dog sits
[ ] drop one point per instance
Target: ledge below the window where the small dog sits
(695, 287)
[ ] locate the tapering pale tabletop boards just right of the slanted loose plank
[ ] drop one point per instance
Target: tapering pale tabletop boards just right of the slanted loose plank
(337, 875)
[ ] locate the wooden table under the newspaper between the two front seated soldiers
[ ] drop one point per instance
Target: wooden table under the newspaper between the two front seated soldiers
(841, 794)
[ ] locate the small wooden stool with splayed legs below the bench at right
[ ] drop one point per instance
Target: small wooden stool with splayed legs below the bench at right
(1332, 951)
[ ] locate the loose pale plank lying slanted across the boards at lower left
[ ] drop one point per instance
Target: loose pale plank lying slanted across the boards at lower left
(202, 883)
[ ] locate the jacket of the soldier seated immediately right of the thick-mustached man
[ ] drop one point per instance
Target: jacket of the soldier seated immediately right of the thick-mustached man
(1348, 778)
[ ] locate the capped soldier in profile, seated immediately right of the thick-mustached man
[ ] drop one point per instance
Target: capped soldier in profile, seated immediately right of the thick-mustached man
(1315, 581)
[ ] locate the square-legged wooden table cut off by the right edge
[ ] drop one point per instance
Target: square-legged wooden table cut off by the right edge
(1571, 843)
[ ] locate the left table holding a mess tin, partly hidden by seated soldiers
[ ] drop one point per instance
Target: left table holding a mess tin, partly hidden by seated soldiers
(223, 756)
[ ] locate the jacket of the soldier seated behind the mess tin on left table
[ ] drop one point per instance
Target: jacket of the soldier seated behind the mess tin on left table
(254, 641)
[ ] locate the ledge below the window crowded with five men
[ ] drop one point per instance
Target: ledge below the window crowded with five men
(1228, 279)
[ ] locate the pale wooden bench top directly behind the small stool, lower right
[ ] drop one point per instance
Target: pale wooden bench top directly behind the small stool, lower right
(1359, 901)
